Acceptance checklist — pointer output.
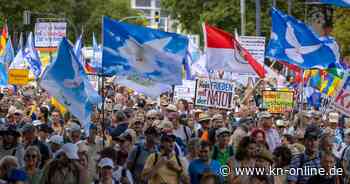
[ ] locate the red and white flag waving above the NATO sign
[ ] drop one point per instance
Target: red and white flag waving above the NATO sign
(226, 54)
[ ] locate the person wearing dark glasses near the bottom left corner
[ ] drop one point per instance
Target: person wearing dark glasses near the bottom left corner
(32, 158)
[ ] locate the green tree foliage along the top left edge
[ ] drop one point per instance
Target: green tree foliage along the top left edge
(81, 15)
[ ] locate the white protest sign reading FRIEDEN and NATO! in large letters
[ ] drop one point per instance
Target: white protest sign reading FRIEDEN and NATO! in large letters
(214, 93)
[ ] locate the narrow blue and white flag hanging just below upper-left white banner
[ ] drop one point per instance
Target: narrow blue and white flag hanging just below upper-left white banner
(31, 56)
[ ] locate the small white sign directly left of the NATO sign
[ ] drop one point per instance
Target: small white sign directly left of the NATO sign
(185, 91)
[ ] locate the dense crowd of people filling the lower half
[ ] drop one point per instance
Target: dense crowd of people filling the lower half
(139, 140)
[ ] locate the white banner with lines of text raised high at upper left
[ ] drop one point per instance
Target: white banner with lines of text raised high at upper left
(49, 34)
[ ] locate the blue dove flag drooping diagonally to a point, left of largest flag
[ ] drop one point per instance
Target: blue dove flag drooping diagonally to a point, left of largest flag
(65, 79)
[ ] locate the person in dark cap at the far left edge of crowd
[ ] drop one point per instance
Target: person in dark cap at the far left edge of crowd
(10, 145)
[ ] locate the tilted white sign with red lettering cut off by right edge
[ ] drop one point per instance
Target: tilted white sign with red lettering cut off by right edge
(342, 99)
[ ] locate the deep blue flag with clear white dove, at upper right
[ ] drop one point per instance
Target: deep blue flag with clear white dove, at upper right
(294, 42)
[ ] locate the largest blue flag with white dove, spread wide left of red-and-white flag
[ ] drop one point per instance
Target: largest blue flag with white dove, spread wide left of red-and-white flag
(131, 50)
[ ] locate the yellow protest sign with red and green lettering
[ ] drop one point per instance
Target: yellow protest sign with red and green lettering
(278, 101)
